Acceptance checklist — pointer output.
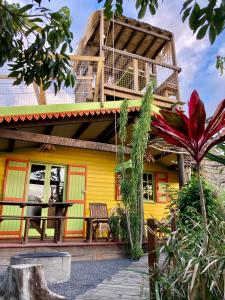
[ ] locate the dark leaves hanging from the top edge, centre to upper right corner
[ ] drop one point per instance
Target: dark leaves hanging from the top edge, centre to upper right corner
(209, 17)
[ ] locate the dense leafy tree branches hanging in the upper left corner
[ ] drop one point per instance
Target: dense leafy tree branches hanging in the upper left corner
(34, 43)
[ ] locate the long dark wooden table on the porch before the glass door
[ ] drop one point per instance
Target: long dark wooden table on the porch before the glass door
(61, 209)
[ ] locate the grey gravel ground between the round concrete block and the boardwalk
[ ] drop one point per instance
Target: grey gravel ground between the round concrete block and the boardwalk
(85, 276)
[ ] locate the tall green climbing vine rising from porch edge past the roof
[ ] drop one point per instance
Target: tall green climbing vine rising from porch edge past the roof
(131, 178)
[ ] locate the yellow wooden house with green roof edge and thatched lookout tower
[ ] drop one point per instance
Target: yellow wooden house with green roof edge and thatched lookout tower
(64, 148)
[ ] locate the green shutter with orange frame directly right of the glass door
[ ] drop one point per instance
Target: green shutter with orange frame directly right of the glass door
(76, 193)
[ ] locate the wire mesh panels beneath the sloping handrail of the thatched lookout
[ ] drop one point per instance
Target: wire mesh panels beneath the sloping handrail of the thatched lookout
(124, 71)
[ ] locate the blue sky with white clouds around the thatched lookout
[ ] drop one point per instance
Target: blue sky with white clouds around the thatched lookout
(195, 57)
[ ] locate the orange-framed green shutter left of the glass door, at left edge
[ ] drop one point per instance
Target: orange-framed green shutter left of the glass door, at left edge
(15, 191)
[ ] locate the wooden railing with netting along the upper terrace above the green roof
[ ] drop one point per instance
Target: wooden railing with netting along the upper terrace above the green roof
(118, 73)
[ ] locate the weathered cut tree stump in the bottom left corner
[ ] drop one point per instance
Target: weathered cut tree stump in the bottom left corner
(26, 282)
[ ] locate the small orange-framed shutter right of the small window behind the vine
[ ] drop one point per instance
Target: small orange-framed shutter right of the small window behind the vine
(161, 179)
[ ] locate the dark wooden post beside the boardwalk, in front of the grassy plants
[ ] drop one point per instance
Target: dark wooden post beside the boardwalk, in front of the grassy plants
(152, 258)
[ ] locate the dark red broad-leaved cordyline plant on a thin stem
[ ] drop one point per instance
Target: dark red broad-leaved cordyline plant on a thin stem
(191, 133)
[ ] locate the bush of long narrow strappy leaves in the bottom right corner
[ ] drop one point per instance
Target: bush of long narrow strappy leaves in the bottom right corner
(187, 271)
